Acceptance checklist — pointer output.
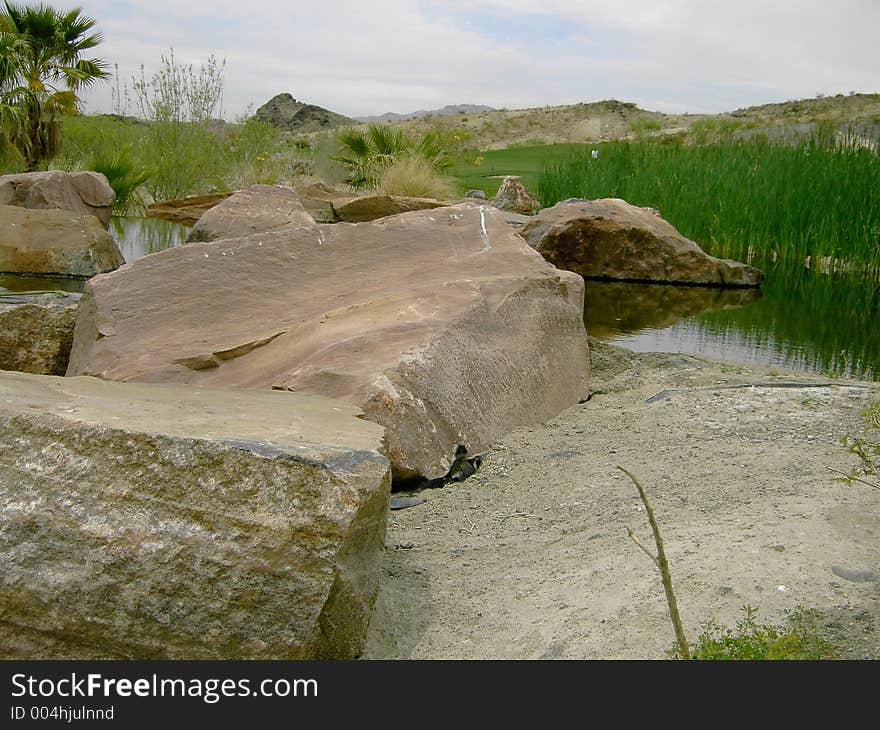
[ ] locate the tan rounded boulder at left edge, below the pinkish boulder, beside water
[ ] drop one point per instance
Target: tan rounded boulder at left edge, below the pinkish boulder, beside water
(55, 243)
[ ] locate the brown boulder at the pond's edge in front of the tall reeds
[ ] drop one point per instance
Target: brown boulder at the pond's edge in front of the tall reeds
(611, 239)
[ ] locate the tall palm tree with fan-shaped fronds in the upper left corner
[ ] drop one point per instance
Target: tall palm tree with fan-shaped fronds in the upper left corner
(41, 70)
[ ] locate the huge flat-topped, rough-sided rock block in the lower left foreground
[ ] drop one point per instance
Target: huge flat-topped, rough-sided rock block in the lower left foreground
(144, 521)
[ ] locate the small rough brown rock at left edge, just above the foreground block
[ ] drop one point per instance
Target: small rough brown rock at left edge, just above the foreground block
(36, 332)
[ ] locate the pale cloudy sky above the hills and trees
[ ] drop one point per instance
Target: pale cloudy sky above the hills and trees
(360, 57)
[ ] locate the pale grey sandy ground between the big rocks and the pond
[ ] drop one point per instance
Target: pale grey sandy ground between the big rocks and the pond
(530, 557)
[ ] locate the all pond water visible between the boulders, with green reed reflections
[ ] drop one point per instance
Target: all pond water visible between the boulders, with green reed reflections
(799, 319)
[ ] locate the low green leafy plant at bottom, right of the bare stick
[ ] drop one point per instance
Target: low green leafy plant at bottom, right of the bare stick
(800, 638)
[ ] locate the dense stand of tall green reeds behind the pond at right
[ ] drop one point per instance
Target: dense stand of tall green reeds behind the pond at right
(748, 200)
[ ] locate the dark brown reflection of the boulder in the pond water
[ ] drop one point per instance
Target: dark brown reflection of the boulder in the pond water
(611, 308)
